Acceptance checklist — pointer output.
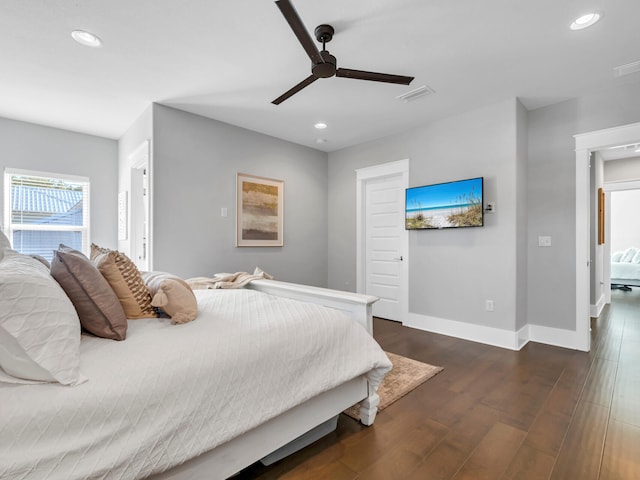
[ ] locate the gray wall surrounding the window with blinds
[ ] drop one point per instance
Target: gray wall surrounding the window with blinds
(45, 149)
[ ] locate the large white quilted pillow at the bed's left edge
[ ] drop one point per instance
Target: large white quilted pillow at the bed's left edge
(39, 327)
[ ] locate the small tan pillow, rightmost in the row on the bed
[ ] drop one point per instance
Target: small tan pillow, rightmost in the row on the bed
(172, 295)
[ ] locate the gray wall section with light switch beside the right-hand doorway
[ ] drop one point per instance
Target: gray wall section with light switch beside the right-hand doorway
(551, 171)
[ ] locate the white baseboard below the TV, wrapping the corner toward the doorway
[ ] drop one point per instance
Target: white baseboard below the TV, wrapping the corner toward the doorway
(512, 340)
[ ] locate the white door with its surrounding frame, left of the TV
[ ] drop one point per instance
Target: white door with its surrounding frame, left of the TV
(382, 241)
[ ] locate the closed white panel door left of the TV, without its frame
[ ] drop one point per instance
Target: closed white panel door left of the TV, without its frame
(384, 231)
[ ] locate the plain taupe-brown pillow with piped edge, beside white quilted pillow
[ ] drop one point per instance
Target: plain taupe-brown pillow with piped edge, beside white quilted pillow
(97, 305)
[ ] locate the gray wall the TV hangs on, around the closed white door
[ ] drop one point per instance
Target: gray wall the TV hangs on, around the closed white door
(451, 272)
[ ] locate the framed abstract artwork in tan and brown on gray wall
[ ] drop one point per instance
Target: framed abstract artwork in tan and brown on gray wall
(259, 211)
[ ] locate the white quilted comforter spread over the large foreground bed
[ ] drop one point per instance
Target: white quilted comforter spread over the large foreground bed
(171, 392)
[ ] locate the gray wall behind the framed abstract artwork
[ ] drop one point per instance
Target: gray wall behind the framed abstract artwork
(195, 160)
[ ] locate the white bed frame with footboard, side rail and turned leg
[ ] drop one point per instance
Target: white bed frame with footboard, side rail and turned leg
(303, 424)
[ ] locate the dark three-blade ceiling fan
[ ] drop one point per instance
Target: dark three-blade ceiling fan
(323, 64)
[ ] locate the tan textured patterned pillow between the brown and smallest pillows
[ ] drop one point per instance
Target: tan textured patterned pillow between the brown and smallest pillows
(125, 280)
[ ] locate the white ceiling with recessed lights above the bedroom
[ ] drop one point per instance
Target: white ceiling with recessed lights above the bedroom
(228, 60)
